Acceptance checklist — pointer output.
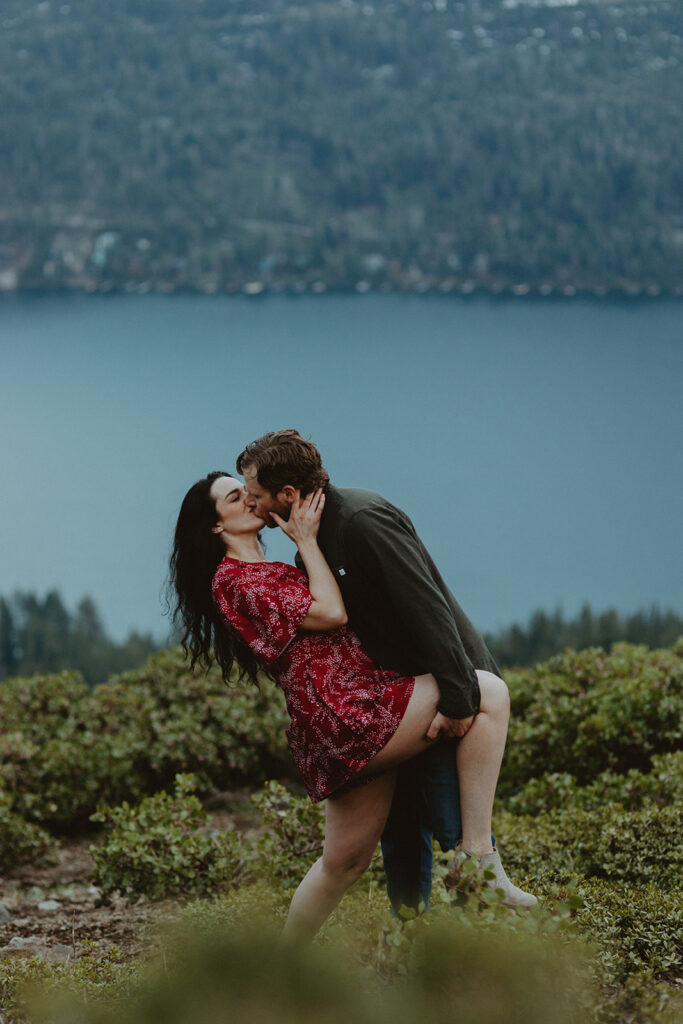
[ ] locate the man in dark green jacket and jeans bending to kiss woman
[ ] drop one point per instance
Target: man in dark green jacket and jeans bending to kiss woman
(408, 620)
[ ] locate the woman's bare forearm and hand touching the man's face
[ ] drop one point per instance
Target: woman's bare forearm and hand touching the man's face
(327, 610)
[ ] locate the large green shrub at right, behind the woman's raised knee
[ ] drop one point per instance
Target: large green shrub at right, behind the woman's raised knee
(588, 713)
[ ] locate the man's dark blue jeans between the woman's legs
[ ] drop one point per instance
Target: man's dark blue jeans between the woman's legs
(426, 803)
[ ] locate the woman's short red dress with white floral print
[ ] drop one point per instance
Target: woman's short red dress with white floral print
(344, 709)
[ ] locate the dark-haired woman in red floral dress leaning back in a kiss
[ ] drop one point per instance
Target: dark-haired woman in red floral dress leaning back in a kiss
(352, 723)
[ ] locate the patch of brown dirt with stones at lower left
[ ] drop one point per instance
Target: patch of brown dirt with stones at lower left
(53, 912)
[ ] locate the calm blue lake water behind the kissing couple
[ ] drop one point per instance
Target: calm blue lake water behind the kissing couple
(537, 445)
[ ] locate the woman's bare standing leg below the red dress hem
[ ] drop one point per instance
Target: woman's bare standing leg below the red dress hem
(354, 824)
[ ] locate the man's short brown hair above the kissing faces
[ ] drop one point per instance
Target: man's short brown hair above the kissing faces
(283, 457)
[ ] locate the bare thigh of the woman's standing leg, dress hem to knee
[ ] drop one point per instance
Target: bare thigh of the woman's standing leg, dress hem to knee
(355, 821)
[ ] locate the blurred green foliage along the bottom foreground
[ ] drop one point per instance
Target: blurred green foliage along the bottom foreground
(242, 974)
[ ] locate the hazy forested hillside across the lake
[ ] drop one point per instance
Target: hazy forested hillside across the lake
(233, 145)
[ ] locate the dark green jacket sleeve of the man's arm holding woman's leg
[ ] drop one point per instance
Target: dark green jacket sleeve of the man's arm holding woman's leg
(385, 551)
